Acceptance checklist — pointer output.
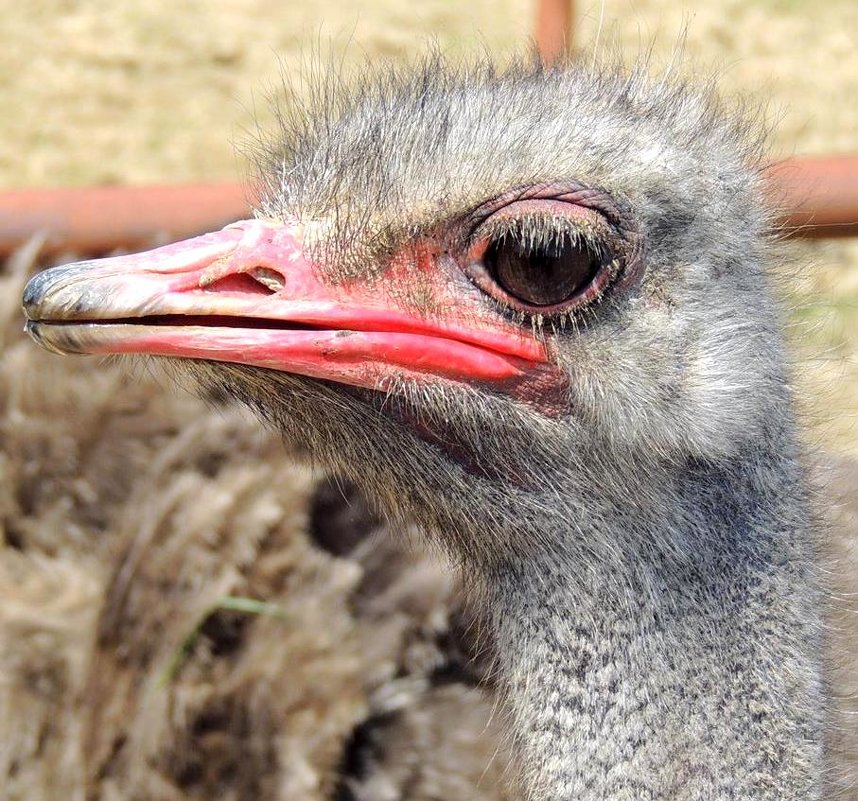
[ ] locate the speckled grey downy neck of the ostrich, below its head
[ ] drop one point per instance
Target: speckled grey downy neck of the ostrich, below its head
(642, 676)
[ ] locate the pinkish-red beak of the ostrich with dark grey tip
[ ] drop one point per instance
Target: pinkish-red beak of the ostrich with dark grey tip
(248, 294)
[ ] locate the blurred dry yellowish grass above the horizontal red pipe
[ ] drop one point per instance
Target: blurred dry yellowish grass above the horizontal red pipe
(98, 91)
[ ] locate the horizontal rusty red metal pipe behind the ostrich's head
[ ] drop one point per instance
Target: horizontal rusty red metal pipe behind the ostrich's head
(818, 196)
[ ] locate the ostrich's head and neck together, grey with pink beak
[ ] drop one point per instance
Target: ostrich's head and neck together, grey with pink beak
(529, 309)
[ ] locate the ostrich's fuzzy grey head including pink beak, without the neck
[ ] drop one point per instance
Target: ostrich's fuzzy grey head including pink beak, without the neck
(495, 284)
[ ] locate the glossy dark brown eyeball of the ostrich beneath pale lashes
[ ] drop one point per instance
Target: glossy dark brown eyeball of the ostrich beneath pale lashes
(541, 275)
